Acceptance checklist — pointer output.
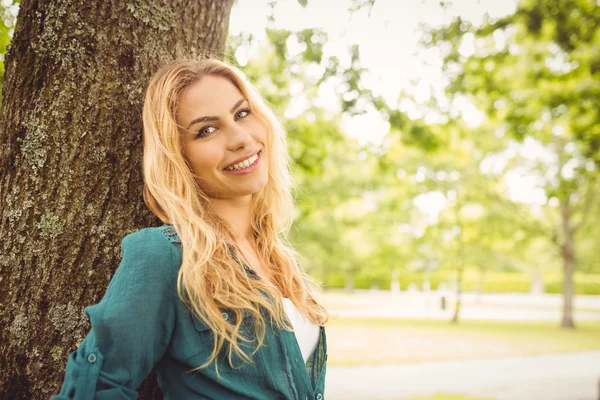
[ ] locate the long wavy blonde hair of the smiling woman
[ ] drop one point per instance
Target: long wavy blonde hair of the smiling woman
(211, 277)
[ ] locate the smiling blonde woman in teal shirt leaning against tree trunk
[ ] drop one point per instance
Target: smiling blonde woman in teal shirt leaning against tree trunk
(213, 300)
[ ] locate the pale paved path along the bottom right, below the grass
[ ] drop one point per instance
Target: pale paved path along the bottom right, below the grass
(570, 376)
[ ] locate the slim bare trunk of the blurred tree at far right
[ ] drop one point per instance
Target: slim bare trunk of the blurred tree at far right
(568, 254)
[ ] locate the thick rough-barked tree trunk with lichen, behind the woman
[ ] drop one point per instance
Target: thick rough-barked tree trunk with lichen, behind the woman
(70, 159)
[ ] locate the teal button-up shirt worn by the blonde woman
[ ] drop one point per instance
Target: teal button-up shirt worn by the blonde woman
(141, 325)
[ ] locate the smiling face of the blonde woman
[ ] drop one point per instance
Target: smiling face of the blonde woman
(223, 140)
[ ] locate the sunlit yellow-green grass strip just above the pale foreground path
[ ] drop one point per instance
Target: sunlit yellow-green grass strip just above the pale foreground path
(372, 341)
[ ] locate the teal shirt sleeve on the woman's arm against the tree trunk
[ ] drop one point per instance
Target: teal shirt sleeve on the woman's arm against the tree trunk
(130, 327)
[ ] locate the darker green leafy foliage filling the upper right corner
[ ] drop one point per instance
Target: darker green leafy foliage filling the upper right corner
(533, 70)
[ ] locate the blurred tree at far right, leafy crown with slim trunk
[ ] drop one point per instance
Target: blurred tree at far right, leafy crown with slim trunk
(534, 73)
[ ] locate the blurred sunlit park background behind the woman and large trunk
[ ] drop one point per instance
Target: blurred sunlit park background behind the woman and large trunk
(446, 159)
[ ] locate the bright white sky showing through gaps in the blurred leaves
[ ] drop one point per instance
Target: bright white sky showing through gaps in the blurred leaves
(388, 41)
